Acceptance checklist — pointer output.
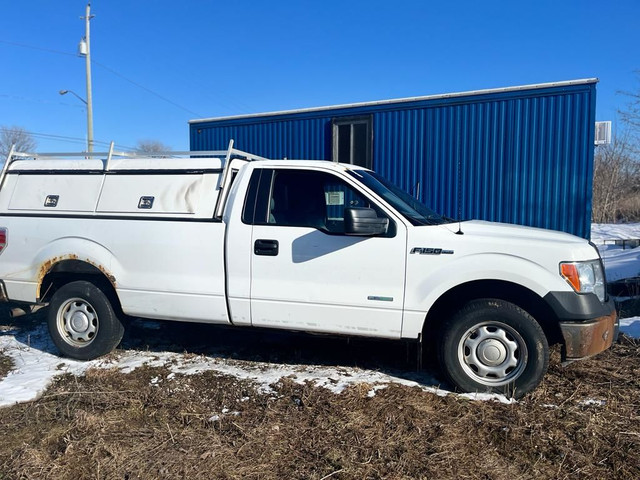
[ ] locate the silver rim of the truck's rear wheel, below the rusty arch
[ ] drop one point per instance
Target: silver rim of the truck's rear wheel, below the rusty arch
(77, 322)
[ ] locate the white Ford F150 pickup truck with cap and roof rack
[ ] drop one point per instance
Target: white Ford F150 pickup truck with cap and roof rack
(231, 238)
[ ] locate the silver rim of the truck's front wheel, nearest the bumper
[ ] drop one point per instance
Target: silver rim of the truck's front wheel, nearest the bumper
(492, 353)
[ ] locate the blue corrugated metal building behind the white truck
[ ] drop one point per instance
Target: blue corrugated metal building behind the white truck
(517, 155)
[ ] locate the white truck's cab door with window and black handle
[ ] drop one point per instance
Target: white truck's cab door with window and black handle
(307, 274)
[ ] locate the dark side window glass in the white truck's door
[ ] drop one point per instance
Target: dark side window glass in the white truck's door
(300, 198)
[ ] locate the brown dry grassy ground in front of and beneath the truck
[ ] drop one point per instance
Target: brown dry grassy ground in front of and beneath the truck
(582, 422)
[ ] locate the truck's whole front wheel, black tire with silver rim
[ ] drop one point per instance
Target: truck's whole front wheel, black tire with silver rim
(492, 345)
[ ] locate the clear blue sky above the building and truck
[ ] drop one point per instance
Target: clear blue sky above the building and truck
(158, 64)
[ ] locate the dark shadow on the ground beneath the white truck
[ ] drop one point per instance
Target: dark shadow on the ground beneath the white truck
(396, 358)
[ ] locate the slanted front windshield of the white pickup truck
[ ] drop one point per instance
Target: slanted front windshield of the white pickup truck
(405, 204)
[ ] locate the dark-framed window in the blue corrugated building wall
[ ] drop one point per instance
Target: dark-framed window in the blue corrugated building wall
(352, 140)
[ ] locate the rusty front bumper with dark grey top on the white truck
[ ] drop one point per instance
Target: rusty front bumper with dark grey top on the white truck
(588, 326)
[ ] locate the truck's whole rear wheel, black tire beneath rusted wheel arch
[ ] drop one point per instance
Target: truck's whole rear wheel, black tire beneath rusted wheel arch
(82, 321)
